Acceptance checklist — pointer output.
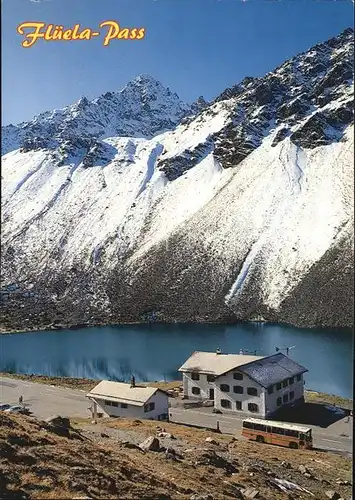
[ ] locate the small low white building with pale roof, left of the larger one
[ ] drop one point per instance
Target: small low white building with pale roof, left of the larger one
(117, 399)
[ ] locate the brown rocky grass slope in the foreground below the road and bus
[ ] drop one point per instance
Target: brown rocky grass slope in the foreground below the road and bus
(125, 459)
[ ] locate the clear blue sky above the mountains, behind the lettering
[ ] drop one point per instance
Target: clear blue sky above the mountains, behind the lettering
(196, 47)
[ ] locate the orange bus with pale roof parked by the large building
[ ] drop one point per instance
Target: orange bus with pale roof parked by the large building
(279, 433)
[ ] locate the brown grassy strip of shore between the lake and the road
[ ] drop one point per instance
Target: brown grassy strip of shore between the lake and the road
(87, 384)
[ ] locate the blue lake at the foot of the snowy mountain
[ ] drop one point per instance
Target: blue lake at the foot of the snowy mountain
(155, 352)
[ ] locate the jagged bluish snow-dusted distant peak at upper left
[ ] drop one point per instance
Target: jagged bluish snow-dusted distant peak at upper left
(143, 108)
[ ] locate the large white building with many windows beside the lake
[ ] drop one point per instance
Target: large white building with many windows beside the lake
(238, 383)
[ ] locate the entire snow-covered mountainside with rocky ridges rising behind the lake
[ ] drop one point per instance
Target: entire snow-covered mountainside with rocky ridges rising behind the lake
(244, 210)
